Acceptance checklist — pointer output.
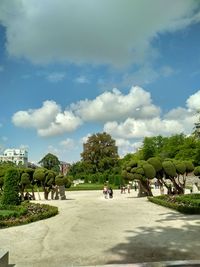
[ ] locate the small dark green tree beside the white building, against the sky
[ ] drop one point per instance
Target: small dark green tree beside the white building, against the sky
(50, 162)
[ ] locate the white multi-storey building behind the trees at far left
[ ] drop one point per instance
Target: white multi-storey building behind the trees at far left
(17, 156)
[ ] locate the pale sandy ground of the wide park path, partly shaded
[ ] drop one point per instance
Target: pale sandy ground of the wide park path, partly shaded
(92, 230)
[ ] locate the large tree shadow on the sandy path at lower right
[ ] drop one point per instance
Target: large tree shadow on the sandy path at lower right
(150, 244)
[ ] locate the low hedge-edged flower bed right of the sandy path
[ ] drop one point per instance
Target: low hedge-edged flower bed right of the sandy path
(188, 204)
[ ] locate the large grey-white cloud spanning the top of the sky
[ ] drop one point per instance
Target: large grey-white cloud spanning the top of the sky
(99, 32)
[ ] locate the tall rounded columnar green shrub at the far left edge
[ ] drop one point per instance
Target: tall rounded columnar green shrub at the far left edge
(11, 189)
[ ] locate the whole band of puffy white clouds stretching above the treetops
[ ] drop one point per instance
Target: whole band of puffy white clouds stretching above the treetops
(125, 116)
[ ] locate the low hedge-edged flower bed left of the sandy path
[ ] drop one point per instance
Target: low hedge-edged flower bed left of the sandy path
(34, 212)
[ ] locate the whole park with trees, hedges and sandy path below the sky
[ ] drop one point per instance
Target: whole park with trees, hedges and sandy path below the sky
(57, 222)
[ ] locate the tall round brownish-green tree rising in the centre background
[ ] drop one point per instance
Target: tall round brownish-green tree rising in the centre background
(100, 152)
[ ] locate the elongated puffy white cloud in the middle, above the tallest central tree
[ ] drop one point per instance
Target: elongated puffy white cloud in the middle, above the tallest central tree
(116, 106)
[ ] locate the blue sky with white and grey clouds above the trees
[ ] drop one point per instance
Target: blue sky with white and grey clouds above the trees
(71, 68)
